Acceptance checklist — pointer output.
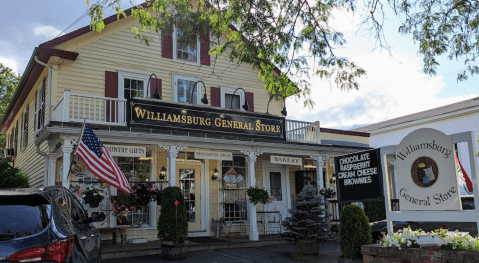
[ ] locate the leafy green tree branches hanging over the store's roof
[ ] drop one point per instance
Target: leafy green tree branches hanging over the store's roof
(292, 35)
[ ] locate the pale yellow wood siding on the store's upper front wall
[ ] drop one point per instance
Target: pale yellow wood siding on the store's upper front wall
(116, 49)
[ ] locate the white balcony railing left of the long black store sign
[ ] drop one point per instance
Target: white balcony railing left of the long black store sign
(73, 107)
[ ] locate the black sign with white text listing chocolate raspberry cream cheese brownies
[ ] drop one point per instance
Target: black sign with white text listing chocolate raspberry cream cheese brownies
(359, 176)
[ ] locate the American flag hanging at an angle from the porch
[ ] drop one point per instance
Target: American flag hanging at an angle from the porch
(98, 160)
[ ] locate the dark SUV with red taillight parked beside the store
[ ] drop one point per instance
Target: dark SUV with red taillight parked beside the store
(47, 225)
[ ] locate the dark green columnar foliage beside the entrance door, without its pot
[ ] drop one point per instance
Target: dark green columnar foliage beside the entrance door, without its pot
(173, 221)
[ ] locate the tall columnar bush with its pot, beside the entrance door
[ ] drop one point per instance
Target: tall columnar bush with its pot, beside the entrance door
(173, 224)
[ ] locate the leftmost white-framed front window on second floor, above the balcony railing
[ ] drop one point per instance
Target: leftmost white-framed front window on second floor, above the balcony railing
(132, 85)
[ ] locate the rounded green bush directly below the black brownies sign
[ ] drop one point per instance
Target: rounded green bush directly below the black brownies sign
(354, 231)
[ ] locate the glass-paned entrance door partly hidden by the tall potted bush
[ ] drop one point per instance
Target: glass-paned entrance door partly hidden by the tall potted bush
(189, 182)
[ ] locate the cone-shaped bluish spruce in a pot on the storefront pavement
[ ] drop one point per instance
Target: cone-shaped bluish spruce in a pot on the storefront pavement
(308, 225)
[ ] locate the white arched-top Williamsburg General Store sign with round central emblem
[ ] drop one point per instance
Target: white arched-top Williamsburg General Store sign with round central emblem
(426, 172)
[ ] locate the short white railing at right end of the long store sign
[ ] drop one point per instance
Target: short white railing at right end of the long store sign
(300, 131)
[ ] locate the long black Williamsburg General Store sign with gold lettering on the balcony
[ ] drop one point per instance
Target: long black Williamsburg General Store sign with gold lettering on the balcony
(188, 118)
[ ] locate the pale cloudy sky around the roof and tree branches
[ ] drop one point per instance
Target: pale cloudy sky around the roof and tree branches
(394, 86)
